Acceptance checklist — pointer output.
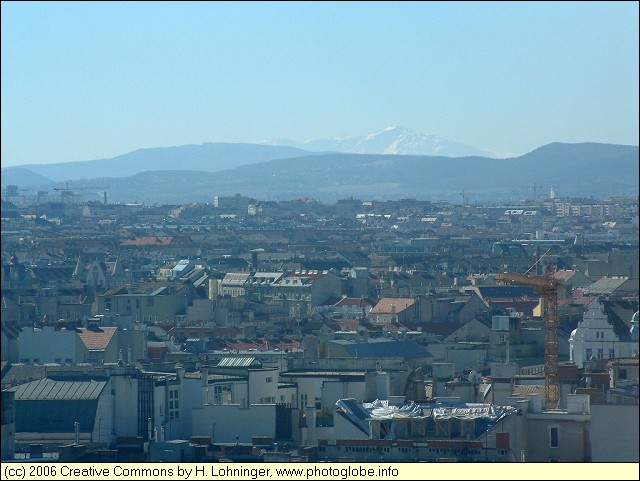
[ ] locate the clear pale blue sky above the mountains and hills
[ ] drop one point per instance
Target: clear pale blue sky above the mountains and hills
(94, 80)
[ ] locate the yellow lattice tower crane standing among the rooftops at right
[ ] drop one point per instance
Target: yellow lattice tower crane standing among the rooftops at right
(546, 285)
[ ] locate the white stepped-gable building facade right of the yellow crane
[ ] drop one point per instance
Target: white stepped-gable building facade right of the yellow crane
(595, 337)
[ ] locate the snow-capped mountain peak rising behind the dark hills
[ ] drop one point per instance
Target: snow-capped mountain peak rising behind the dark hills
(392, 140)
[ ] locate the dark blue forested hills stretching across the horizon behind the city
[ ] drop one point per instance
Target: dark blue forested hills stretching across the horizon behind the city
(197, 173)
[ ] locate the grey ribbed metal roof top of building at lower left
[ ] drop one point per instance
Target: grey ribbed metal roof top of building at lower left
(47, 389)
